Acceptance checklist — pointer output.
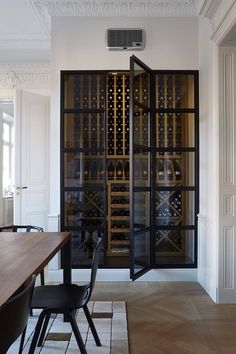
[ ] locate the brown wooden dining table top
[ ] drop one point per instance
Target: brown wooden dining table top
(23, 254)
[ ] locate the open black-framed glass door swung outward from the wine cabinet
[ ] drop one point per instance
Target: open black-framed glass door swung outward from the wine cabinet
(140, 160)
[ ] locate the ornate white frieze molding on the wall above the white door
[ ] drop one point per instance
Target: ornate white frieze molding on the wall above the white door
(25, 75)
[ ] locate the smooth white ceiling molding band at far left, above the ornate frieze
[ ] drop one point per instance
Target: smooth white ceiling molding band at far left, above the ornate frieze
(24, 42)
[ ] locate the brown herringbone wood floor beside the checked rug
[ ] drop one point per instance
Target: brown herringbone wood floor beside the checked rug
(173, 318)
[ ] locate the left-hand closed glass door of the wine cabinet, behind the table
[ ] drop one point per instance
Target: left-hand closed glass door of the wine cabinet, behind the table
(83, 201)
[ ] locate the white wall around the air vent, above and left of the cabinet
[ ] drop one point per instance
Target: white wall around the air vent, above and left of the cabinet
(79, 44)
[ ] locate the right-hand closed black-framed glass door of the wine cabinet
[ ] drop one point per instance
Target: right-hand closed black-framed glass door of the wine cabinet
(176, 187)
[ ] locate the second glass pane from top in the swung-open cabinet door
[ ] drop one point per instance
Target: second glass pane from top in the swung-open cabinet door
(140, 127)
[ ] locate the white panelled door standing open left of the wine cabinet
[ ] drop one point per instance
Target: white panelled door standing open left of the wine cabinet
(31, 197)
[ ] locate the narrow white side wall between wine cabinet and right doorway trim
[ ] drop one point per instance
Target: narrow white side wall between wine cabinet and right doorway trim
(208, 232)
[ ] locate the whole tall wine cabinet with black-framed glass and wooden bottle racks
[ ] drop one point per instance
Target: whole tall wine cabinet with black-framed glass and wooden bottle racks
(129, 166)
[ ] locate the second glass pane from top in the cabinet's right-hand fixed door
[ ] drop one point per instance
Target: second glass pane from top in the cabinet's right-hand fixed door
(175, 130)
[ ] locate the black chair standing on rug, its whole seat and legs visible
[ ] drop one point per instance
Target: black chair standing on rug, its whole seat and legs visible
(65, 299)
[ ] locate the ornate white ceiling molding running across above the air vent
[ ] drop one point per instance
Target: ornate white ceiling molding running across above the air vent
(153, 8)
